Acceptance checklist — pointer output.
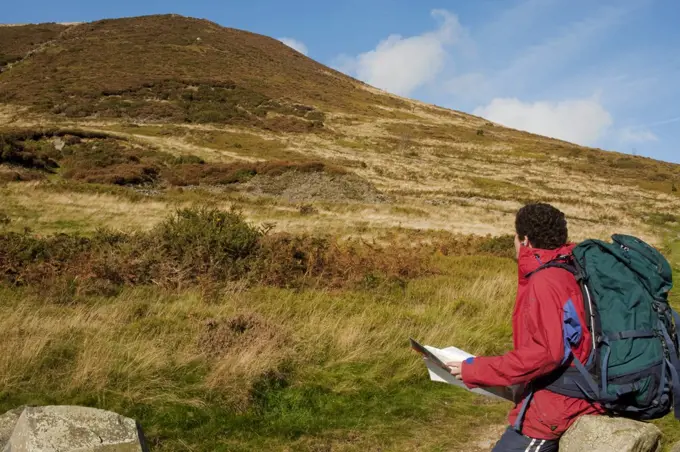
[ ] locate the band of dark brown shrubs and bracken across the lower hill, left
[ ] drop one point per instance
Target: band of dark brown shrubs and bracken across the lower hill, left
(102, 159)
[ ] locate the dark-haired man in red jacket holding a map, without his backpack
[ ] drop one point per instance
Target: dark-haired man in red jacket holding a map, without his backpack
(549, 305)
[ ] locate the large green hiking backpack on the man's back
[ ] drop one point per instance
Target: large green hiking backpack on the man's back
(634, 368)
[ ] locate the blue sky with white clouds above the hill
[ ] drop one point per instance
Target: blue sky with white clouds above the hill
(603, 73)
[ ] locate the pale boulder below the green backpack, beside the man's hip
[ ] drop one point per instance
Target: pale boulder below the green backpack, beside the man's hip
(607, 434)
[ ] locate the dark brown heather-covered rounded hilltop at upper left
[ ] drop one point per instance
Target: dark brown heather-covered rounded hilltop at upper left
(171, 68)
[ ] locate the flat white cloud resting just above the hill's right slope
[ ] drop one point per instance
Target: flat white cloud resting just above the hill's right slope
(581, 121)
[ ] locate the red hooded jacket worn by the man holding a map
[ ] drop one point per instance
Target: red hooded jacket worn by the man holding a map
(539, 349)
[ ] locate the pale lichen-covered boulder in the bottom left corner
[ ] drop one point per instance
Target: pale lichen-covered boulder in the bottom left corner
(68, 428)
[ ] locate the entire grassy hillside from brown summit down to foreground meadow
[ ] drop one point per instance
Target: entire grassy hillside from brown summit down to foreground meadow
(234, 248)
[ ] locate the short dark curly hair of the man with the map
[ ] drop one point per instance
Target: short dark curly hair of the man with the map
(543, 224)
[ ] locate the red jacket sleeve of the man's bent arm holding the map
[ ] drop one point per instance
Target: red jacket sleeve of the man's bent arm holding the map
(540, 350)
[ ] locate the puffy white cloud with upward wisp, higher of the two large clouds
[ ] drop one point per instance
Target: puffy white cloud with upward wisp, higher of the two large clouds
(400, 65)
